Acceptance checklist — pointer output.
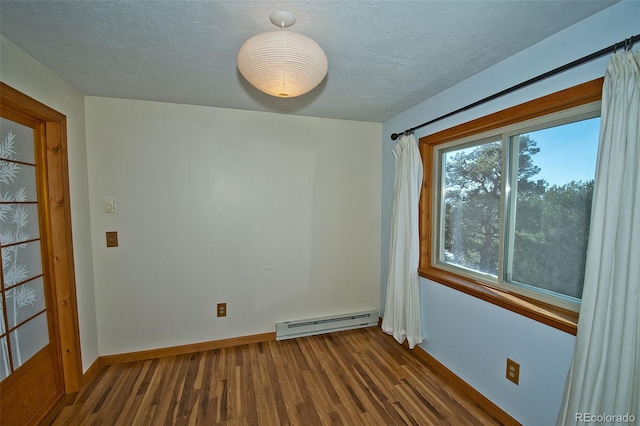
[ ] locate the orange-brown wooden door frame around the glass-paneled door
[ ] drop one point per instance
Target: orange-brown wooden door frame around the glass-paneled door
(59, 218)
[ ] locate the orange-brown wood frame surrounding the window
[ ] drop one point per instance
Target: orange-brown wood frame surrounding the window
(559, 318)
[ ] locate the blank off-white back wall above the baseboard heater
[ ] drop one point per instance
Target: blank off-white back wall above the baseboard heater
(276, 215)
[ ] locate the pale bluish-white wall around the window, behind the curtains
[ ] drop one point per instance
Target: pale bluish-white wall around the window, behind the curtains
(471, 337)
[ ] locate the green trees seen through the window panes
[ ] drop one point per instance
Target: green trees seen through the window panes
(551, 222)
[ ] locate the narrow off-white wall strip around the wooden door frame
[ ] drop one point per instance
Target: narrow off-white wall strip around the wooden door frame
(23, 73)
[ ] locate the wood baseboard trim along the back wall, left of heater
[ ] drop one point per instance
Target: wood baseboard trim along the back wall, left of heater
(185, 349)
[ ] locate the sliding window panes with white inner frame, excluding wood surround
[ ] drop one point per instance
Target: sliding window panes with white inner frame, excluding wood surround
(514, 209)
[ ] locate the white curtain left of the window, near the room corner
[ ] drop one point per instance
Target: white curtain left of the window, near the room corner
(402, 308)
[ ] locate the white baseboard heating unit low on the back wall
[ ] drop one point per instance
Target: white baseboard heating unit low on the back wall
(313, 326)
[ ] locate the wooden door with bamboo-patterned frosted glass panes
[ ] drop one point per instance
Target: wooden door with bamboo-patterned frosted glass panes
(30, 363)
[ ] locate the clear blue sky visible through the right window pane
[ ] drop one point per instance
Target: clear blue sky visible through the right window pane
(568, 152)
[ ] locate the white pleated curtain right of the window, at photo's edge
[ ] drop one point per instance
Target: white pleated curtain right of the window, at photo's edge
(604, 378)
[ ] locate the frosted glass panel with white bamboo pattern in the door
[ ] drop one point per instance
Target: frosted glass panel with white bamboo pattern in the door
(24, 327)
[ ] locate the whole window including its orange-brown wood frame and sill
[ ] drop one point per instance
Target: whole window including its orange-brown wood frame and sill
(507, 203)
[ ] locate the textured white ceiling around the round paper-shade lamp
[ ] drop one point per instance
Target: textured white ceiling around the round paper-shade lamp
(384, 56)
